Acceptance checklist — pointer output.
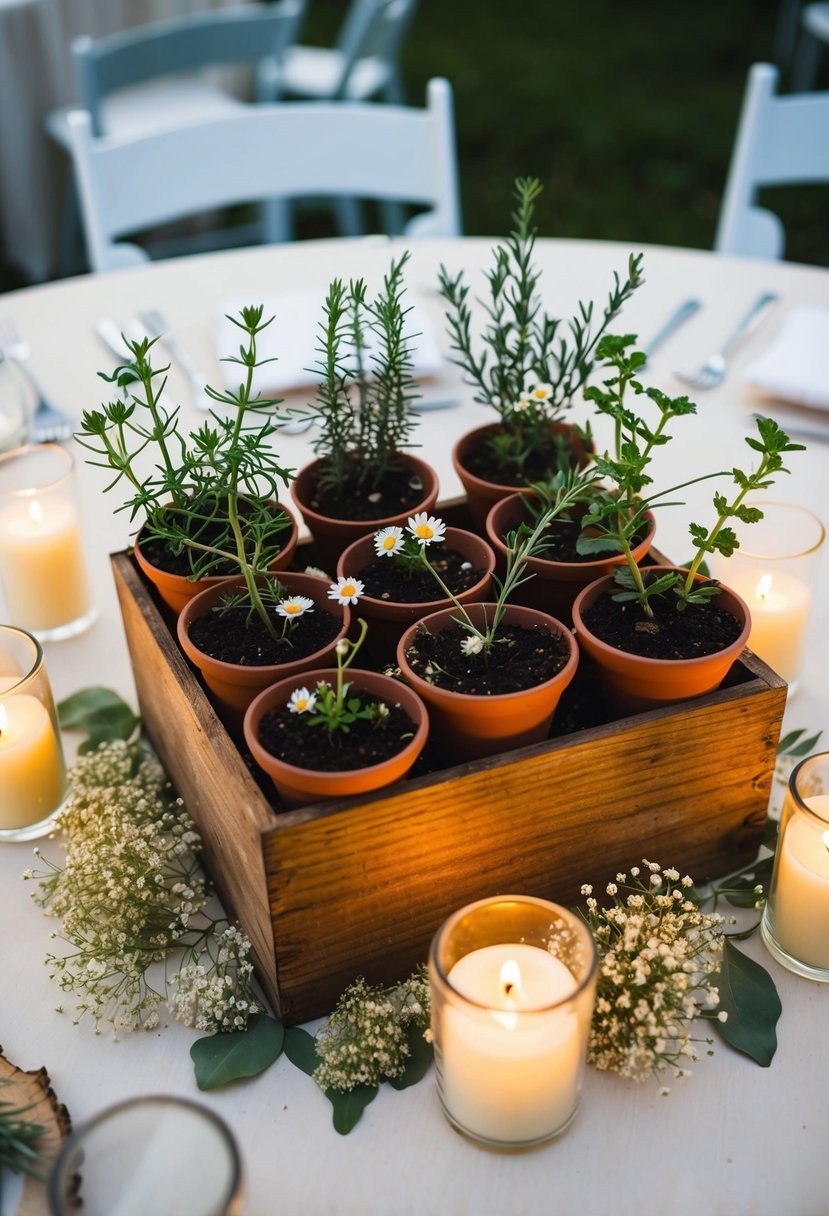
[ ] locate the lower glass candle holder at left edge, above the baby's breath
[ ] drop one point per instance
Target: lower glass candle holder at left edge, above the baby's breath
(33, 782)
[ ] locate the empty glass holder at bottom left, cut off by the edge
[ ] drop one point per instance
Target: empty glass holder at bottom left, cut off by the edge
(154, 1155)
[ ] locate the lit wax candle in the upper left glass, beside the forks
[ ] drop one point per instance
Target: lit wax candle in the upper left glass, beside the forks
(42, 564)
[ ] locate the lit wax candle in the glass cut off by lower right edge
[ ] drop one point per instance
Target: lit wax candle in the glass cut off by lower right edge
(802, 896)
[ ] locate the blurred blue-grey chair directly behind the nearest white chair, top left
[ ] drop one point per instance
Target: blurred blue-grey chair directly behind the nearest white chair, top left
(155, 76)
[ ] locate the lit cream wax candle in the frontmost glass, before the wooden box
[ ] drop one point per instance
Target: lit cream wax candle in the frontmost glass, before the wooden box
(510, 1065)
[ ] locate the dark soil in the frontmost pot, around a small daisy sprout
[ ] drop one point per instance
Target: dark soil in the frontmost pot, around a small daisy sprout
(289, 738)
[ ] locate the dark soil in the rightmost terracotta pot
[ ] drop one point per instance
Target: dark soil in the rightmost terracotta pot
(691, 634)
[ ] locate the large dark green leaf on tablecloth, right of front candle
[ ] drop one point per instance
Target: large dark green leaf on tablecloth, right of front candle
(749, 998)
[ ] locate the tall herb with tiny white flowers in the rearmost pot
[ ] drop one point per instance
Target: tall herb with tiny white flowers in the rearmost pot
(528, 370)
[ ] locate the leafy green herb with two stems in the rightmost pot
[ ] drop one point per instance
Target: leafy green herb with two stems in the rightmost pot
(617, 513)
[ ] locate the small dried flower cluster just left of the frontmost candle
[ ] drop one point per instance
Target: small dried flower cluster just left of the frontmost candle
(366, 1039)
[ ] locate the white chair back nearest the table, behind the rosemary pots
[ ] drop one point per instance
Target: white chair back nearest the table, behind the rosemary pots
(281, 151)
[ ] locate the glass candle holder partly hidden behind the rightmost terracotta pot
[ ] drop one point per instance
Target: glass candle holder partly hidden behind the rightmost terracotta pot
(775, 571)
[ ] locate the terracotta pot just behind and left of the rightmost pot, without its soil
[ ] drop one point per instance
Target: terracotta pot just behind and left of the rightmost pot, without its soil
(555, 584)
